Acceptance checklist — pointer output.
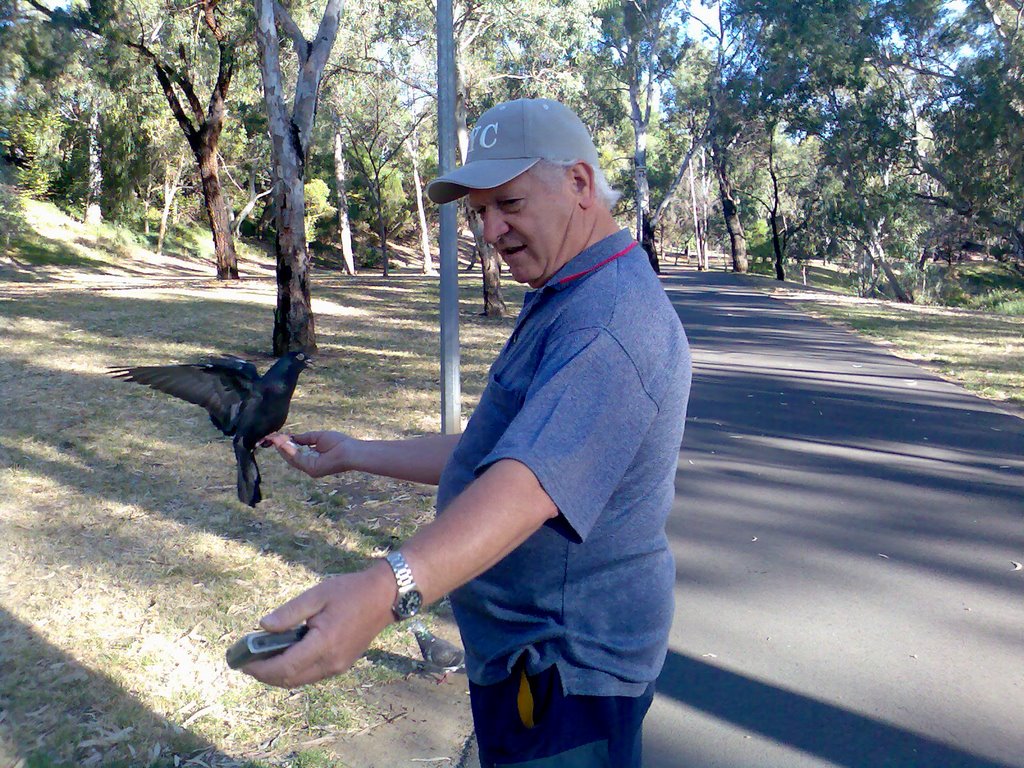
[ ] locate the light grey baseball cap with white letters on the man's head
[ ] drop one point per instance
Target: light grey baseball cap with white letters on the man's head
(509, 140)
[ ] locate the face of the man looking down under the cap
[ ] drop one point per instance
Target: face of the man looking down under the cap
(533, 222)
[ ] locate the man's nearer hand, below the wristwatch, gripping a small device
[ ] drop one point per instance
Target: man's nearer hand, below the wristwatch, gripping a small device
(345, 615)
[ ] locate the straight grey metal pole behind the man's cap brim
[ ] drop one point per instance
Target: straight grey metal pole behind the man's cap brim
(451, 390)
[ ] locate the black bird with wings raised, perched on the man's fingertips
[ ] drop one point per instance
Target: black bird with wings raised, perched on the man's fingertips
(242, 404)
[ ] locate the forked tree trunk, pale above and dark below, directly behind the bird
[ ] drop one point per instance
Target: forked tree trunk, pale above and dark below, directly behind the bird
(293, 319)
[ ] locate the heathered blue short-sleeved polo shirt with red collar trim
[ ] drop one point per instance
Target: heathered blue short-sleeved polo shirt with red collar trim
(590, 393)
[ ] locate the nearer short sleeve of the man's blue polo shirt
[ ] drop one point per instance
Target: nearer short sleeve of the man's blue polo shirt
(584, 417)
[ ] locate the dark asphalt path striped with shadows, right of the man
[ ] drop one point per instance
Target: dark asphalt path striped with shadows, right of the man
(845, 529)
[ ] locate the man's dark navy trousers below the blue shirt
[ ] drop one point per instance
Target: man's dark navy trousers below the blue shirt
(528, 722)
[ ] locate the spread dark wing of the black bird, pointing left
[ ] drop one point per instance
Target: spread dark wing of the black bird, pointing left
(221, 386)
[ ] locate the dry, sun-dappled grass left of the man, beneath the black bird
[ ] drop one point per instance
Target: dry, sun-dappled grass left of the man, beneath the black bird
(129, 566)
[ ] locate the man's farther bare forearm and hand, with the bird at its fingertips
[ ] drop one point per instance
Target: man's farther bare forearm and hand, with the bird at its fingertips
(415, 459)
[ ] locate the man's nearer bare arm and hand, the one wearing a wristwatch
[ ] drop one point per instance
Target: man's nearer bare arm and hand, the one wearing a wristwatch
(497, 514)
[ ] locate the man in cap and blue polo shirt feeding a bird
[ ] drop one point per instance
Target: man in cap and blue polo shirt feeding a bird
(550, 533)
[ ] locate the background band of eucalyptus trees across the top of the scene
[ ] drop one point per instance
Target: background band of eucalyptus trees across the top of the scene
(879, 137)
